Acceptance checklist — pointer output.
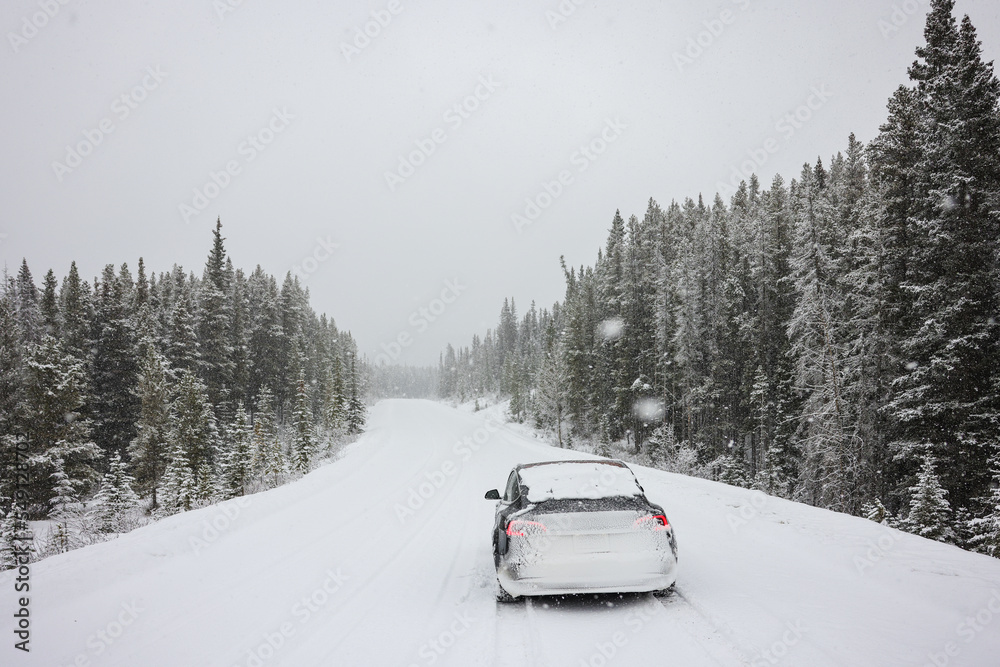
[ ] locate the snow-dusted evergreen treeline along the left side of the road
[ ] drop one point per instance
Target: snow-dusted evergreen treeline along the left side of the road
(174, 388)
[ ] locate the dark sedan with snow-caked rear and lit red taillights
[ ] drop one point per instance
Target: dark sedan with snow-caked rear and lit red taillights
(572, 527)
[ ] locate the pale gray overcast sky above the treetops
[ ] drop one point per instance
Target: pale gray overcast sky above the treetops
(309, 118)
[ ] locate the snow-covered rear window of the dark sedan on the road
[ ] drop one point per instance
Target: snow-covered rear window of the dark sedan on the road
(554, 481)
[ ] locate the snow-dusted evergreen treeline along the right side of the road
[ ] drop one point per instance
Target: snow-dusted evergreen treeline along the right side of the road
(834, 339)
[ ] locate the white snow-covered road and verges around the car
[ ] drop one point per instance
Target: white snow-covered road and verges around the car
(383, 558)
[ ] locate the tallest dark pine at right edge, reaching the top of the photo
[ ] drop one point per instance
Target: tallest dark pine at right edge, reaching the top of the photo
(946, 395)
